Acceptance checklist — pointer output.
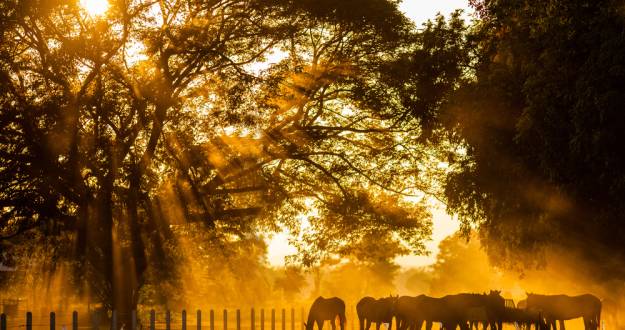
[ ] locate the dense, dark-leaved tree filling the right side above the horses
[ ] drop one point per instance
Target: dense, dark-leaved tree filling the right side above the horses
(542, 119)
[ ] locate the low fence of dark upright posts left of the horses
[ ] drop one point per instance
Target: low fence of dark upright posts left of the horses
(162, 321)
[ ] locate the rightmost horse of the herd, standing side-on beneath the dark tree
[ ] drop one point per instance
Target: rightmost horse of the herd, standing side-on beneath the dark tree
(563, 307)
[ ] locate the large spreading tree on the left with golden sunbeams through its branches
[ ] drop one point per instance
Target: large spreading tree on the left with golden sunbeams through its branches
(123, 131)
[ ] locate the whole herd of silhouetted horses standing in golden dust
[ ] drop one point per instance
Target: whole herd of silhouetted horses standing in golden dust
(464, 310)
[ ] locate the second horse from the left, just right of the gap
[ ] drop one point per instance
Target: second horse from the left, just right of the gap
(376, 310)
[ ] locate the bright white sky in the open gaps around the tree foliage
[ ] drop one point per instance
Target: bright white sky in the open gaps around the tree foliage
(443, 225)
